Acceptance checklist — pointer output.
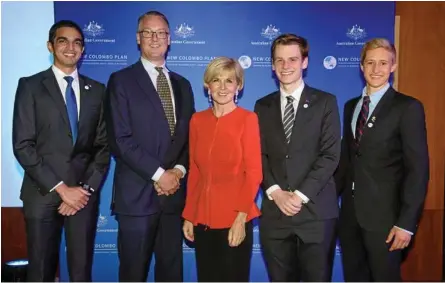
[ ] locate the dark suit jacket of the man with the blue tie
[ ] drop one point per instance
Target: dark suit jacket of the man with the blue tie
(42, 140)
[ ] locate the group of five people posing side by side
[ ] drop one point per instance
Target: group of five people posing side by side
(196, 175)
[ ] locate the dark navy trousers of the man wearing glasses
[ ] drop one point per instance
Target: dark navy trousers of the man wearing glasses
(140, 236)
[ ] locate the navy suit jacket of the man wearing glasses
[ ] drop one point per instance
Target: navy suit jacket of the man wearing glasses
(140, 139)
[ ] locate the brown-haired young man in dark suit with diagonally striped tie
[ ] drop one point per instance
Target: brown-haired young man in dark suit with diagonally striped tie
(300, 139)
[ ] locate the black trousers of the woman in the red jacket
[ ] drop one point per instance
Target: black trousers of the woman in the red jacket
(216, 261)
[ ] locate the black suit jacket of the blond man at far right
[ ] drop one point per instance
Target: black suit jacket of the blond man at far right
(390, 168)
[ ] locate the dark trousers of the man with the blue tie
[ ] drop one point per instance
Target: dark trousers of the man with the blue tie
(44, 229)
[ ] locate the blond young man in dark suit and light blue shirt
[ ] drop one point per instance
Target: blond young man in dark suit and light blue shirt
(383, 172)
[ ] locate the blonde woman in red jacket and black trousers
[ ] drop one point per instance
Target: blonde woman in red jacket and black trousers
(224, 178)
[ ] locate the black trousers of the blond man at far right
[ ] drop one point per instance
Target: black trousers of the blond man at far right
(365, 254)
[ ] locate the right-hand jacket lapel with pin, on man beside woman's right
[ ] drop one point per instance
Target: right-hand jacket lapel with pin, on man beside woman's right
(303, 113)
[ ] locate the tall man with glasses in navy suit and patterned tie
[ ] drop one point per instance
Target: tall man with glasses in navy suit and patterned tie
(148, 114)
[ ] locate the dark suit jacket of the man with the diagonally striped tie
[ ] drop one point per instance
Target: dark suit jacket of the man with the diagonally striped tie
(308, 162)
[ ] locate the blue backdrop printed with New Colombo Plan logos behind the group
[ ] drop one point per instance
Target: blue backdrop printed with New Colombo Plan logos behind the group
(201, 31)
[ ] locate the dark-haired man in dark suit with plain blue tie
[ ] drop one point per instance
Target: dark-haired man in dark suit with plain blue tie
(59, 138)
